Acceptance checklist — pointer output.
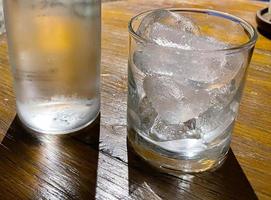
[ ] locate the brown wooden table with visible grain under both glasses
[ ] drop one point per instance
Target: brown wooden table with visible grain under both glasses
(97, 163)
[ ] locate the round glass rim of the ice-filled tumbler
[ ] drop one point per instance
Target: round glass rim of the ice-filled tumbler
(245, 24)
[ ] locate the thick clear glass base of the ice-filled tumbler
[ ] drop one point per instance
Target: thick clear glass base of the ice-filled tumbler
(177, 164)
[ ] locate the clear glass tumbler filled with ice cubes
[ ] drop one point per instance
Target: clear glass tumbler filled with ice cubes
(186, 74)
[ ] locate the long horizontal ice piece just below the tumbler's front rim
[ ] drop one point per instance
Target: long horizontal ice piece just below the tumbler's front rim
(193, 66)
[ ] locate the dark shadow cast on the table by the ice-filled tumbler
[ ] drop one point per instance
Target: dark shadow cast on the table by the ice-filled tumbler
(228, 182)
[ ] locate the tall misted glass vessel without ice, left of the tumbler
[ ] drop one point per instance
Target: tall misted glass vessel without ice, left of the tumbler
(54, 48)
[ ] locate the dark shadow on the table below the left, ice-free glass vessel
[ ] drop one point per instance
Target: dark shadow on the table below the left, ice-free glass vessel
(47, 166)
